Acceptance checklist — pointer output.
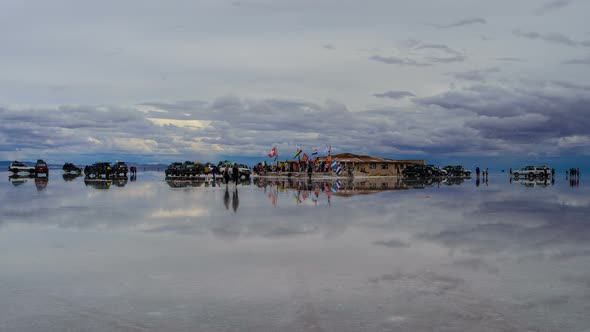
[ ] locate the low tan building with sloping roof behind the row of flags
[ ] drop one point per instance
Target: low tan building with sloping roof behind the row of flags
(365, 165)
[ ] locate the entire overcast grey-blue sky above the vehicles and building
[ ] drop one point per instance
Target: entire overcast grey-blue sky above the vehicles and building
(152, 81)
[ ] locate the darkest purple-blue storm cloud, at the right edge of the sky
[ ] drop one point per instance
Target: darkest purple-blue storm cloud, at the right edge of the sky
(520, 115)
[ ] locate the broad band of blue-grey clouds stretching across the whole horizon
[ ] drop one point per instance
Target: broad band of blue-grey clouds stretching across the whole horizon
(480, 119)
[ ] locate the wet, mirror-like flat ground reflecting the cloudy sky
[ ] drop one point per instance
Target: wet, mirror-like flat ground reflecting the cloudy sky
(373, 255)
